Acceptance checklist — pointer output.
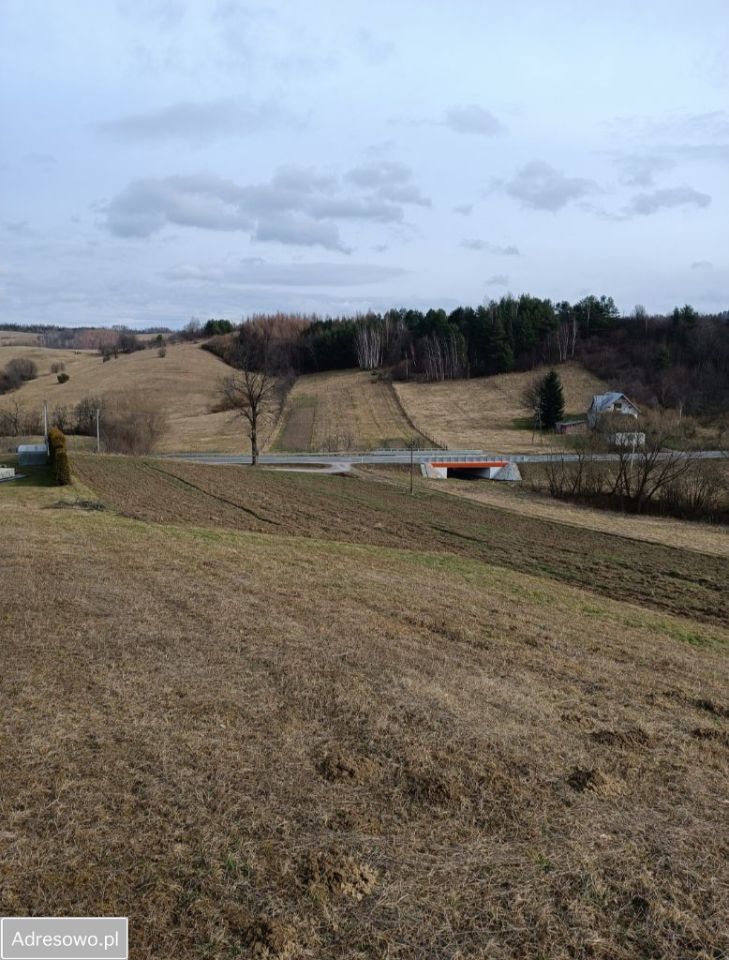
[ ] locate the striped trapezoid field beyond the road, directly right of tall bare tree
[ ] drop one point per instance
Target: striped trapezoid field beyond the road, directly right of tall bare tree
(343, 409)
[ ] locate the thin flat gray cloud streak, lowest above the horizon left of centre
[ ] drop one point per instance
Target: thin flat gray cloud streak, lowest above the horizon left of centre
(257, 272)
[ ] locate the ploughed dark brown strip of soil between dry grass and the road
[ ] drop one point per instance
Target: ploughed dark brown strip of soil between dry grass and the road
(347, 509)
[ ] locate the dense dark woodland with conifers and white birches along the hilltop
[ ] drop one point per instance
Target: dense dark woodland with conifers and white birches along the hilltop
(679, 361)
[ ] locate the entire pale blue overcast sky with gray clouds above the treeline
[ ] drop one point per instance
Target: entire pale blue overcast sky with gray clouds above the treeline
(163, 159)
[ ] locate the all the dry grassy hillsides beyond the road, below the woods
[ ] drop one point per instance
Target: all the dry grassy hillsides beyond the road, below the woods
(336, 410)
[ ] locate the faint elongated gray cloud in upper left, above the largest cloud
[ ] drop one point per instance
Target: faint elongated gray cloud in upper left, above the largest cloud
(199, 122)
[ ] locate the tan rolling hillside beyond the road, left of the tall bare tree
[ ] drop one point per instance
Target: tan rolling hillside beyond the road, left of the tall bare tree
(185, 382)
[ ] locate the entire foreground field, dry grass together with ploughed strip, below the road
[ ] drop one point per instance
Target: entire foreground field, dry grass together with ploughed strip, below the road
(383, 727)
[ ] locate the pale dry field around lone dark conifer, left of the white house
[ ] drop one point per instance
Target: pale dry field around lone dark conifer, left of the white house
(479, 414)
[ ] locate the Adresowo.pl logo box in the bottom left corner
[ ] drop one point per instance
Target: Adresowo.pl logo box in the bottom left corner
(64, 938)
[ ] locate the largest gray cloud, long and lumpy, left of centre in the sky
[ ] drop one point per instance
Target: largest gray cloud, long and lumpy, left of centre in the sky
(297, 206)
